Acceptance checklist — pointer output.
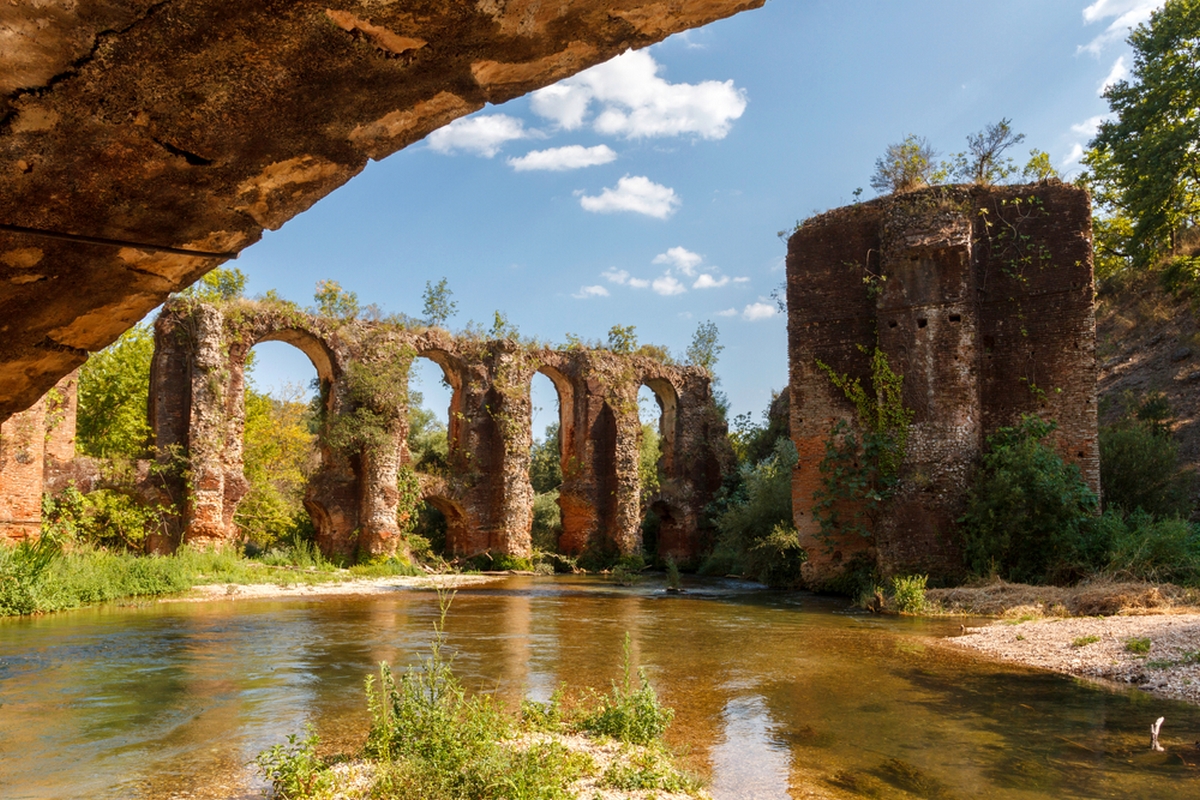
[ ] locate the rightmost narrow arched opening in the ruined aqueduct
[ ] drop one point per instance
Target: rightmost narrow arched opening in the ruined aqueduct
(657, 405)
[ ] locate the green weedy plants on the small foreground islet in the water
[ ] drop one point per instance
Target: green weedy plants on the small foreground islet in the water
(431, 741)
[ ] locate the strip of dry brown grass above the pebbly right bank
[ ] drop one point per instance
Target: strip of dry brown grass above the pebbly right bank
(1101, 598)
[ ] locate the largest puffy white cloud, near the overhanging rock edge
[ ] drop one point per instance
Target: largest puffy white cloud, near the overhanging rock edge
(635, 103)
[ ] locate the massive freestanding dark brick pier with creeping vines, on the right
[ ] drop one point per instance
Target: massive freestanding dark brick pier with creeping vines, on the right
(982, 299)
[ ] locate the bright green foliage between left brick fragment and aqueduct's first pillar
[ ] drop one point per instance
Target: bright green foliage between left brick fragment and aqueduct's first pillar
(115, 388)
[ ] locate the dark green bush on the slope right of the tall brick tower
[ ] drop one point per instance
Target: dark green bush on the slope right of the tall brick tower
(1141, 464)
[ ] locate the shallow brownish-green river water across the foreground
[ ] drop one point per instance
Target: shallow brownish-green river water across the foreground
(776, 695)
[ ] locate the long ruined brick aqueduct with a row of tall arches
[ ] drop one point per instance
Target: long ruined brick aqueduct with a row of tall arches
(197, 420)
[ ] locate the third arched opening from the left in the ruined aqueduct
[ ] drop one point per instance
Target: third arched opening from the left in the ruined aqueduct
(551, 429)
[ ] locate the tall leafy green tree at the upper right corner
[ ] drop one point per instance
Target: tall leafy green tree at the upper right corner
(1149, 153)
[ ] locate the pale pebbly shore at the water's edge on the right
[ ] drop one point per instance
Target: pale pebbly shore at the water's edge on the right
(1159, 654)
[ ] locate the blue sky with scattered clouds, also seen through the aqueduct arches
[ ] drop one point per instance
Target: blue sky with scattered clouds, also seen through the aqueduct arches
(650, 191)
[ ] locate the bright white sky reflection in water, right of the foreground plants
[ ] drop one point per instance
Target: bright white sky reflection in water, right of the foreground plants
(748, 765)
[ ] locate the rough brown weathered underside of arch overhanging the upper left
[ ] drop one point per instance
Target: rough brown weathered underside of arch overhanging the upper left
(145, 143)
